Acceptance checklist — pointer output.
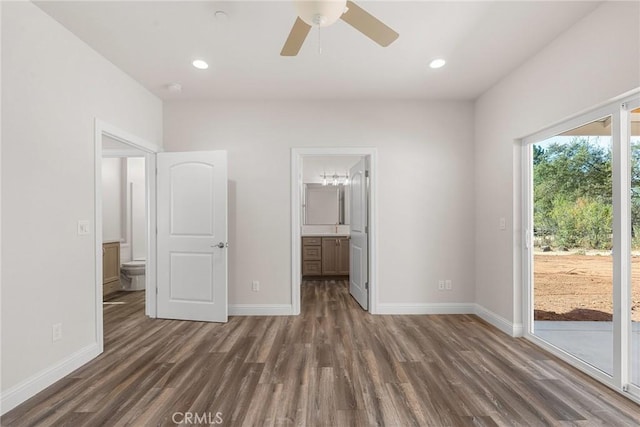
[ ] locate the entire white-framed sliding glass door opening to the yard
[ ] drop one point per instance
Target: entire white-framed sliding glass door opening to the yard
(581, 224)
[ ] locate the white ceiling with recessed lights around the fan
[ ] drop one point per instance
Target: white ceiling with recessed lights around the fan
(155, 42)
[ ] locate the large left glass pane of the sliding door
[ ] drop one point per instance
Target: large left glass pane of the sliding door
(572, 221)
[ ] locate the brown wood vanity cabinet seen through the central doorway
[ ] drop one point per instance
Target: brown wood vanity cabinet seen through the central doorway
(325, 256)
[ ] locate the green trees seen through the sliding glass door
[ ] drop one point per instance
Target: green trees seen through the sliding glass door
(572, 194)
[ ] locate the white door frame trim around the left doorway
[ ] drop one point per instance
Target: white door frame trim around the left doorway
(150, 150)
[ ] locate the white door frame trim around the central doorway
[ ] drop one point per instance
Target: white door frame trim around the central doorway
(297, 156)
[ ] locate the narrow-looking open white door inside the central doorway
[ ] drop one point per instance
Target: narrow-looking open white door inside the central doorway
(358, 243)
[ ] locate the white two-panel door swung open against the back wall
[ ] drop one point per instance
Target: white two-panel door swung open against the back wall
(192, 236)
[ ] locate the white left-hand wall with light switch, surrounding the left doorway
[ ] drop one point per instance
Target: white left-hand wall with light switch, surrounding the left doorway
(54, 86)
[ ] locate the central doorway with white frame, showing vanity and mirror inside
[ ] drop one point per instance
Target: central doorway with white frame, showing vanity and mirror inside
(322, 211)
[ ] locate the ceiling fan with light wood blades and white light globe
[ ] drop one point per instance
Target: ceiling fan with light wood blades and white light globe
(322, 13)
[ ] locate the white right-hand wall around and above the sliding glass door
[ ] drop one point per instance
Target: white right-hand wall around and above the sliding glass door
(594, 61)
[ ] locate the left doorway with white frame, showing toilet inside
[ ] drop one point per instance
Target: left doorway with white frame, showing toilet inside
(124, 215)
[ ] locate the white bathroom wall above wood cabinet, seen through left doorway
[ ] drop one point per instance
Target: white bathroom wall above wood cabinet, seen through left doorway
(113, 200)
